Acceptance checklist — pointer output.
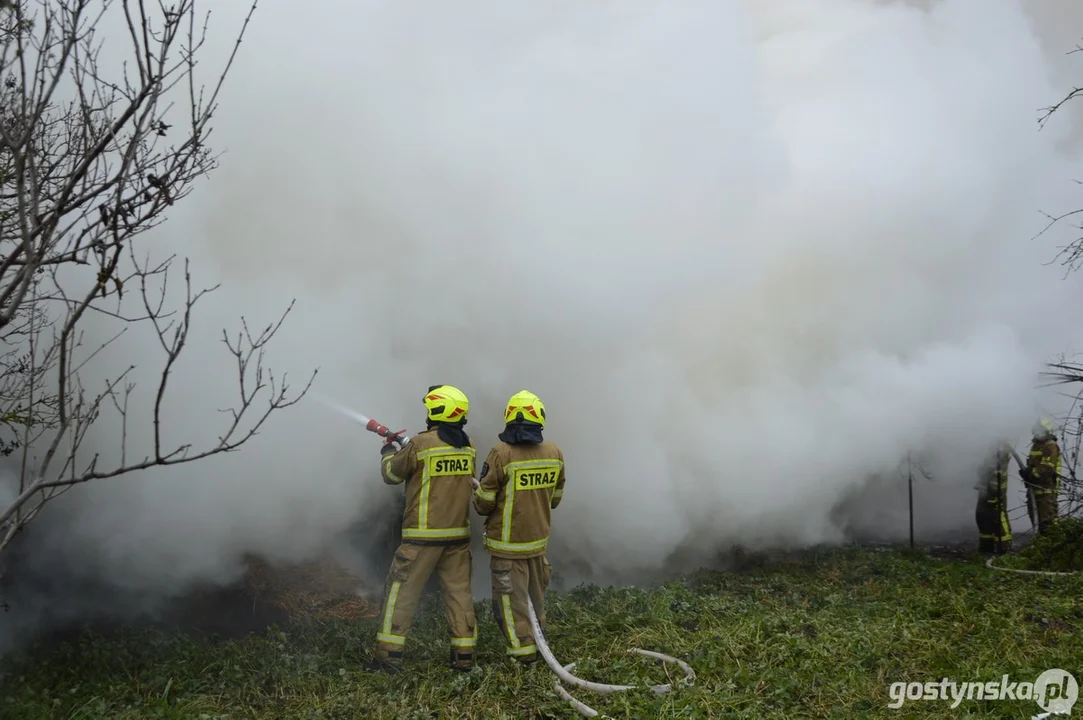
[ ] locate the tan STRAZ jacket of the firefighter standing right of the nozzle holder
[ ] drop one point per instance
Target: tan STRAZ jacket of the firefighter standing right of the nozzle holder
(520, 485)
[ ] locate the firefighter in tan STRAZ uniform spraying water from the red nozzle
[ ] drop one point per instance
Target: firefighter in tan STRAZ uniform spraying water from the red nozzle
(438, 468)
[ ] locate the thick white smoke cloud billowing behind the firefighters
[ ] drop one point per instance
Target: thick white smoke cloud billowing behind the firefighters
(750, 254)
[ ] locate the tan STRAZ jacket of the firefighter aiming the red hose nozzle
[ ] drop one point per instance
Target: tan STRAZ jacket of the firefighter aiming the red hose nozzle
(439, 481)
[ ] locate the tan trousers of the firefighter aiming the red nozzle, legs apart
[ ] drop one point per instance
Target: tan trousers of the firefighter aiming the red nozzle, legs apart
(410, 571)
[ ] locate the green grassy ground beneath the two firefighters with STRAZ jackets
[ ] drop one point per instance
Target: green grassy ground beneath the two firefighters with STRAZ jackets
(817, 636)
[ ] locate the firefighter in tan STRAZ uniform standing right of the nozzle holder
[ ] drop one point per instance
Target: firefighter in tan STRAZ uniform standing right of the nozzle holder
(521, 481)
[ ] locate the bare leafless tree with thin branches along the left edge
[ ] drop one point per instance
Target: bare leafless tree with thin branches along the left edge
(94, 154)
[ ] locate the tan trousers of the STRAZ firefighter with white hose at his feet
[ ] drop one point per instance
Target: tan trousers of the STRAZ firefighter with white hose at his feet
(514, 582)
